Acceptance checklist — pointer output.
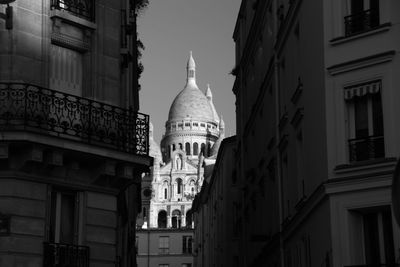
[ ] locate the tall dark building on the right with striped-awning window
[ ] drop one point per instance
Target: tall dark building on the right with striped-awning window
(316, 132)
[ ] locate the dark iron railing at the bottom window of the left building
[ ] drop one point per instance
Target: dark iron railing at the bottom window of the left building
(60, 255)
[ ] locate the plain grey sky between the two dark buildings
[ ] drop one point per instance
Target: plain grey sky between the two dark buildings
(170, 29)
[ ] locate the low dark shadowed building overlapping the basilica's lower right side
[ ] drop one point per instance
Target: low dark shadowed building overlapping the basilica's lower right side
(216, 237)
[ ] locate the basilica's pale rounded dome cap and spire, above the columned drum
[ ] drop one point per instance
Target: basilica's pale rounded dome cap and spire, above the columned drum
(191, 103)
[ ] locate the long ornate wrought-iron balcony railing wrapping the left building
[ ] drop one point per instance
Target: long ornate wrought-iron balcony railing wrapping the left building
(25, 107)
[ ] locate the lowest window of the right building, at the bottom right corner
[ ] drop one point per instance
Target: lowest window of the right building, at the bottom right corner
(373, 243)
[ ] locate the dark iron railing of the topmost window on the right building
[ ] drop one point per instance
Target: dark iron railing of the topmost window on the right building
(360, 22)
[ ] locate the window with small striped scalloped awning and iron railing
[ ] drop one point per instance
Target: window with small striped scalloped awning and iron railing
(366, 139)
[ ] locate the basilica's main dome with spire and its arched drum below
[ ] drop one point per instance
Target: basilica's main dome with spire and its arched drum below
(193, 122)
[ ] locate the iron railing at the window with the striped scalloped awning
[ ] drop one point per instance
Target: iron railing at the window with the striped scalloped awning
(371, 147)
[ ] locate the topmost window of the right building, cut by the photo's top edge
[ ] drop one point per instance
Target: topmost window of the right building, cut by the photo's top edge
(363, 16)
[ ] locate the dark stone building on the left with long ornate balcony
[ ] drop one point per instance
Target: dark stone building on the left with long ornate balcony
(73, 144)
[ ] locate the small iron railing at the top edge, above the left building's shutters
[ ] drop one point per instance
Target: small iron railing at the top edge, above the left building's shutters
(81, 8)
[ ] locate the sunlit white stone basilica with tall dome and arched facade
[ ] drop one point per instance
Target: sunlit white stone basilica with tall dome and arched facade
(193, 133)
